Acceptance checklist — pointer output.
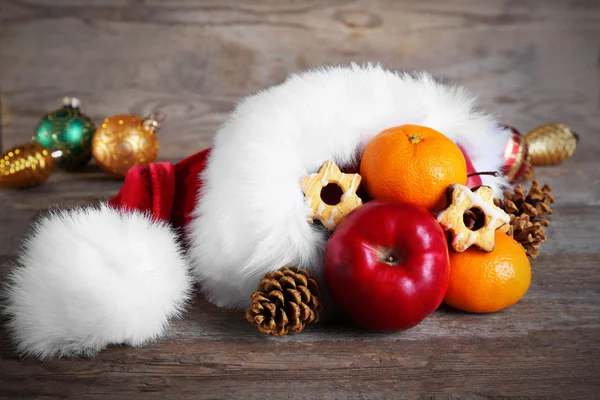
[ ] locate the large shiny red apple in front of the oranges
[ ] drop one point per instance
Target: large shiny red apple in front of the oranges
(387, 265)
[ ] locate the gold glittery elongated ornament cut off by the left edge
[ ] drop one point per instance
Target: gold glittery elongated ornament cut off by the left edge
(26, 166)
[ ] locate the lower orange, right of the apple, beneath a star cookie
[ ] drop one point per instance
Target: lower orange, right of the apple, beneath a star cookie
(484, 282)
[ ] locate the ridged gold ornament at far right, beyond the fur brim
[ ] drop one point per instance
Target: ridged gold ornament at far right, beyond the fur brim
(551, 144)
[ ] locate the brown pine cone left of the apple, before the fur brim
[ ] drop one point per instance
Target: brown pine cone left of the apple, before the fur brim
(285, 301)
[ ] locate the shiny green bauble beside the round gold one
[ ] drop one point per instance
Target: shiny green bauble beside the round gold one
(69, 131)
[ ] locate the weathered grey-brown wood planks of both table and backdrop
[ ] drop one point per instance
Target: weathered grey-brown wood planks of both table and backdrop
(530, 62)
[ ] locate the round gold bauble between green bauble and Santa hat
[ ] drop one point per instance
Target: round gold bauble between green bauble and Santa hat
(123, 141)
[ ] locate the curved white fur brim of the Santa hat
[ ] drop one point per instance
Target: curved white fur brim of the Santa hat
(251, 216)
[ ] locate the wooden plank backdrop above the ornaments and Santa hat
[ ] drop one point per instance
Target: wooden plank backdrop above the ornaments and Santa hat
(529, 62)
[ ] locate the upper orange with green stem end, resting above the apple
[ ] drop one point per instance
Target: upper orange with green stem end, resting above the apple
(412, 164)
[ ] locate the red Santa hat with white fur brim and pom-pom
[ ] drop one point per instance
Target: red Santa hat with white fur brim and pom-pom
(118, 272)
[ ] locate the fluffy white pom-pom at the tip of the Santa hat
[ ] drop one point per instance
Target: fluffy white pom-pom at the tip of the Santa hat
(92, 277)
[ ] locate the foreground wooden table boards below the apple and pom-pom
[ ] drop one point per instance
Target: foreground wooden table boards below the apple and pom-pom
(546, 346)
